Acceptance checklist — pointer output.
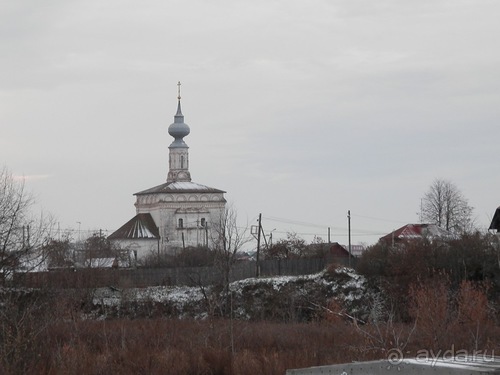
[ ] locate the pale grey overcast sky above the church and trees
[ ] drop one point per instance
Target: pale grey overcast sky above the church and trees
(300, 110)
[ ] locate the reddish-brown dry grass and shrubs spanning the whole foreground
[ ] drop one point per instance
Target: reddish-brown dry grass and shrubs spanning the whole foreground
(43, 334)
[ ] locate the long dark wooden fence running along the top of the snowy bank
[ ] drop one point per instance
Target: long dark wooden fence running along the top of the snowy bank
(142, 277)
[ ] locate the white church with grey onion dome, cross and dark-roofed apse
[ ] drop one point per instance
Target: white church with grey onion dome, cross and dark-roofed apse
(176, 214)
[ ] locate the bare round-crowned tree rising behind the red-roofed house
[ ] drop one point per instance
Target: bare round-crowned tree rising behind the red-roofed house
(445, 206)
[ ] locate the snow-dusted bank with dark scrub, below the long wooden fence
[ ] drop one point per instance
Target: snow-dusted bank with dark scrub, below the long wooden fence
(285, 298)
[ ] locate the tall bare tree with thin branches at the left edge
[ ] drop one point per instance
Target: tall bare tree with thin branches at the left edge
(21, 235)
